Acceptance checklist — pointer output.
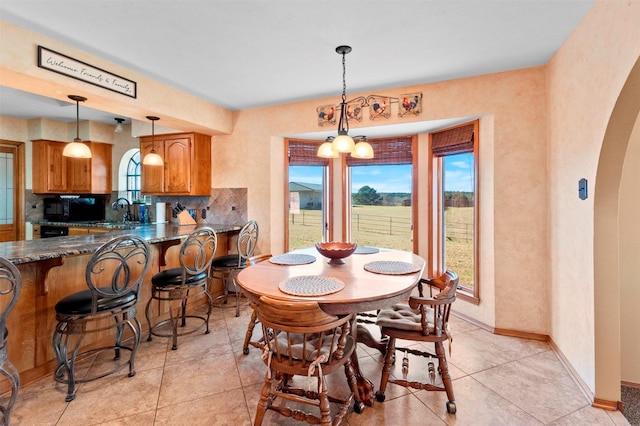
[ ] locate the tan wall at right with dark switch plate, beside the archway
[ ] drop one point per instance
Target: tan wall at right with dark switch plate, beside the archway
(585, 78)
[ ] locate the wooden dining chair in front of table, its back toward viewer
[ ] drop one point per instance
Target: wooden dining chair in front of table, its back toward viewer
(302, 340)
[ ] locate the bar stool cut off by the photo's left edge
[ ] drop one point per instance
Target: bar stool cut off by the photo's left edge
(10, 285)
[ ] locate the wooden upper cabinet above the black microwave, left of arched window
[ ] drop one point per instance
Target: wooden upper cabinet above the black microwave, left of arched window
(55, 174)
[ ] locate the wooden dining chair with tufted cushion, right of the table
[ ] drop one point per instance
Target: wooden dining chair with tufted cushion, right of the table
(424, 319)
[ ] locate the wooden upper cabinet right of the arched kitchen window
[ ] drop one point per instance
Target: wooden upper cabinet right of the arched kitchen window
(187, 164)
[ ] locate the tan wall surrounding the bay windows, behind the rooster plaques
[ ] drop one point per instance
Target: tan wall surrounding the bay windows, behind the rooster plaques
(511, 107)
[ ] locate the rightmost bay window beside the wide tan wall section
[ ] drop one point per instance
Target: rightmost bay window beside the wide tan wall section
(455, 217)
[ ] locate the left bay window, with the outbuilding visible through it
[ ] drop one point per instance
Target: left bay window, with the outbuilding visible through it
(307, 180)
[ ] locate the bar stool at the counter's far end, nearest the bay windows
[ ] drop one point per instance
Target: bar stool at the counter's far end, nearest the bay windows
(227, 267)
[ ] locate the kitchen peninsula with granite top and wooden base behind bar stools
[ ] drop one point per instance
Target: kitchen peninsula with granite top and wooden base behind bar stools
(52, 268)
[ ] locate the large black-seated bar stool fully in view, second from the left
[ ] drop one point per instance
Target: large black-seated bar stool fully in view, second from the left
(114, 276)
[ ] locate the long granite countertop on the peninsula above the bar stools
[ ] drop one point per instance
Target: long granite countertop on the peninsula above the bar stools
(49, 248)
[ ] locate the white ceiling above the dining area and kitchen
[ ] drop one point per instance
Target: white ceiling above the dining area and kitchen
(248, 53)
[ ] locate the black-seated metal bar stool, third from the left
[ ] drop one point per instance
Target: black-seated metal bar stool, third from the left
(177, 285)
